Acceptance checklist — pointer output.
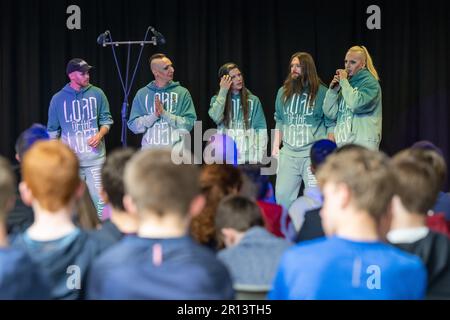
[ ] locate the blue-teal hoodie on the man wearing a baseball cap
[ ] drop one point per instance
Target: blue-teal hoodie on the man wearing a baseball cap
(76, 116)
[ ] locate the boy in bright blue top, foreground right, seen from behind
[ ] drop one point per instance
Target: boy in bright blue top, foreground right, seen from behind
(351, 262)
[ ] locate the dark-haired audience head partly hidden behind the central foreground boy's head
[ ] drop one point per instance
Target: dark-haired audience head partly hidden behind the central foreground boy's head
(113, 177)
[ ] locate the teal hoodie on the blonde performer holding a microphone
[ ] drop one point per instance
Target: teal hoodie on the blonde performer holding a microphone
(357, 110)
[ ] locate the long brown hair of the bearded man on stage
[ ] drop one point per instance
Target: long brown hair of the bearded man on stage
(308, 77)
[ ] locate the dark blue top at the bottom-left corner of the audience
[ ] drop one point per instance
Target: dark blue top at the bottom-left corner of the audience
(20, 278)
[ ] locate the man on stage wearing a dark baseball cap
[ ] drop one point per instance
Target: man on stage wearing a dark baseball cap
(79, 114)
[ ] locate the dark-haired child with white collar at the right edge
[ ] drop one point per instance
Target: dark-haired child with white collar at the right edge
(418, 185)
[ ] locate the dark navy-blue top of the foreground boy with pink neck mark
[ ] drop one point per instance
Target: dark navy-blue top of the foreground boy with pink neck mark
(140, 268)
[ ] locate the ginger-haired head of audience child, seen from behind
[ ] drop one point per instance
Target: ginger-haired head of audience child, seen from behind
(50, 175)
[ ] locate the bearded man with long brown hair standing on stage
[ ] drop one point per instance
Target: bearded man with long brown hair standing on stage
(300, 122)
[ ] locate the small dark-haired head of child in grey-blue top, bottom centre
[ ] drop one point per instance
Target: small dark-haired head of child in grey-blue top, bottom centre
(235, 215)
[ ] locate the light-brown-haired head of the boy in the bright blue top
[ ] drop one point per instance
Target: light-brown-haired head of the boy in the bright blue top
(355, 179)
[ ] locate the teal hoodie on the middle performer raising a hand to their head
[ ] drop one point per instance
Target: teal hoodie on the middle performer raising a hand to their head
(251, 143)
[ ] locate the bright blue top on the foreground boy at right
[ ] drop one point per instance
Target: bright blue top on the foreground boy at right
(336, 268)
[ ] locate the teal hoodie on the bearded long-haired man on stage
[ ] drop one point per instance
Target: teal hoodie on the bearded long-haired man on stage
(301, 124)
